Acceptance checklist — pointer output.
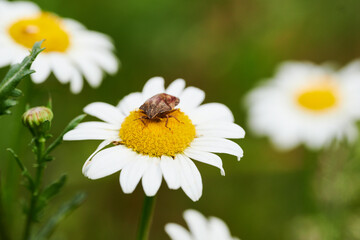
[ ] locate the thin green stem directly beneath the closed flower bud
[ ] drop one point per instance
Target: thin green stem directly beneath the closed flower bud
(40, 146)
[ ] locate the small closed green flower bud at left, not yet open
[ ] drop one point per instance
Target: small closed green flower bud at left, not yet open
(38, 120)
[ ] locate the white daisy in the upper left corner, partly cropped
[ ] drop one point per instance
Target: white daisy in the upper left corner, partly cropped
(72, 52)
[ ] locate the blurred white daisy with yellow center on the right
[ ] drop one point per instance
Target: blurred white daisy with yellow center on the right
(307, 104)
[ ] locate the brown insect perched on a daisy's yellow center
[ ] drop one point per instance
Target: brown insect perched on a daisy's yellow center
(158, 107)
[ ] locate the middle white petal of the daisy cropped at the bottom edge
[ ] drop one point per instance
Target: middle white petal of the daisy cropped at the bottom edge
(197, 224)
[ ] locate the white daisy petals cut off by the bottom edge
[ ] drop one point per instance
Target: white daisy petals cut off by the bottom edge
(200, 228)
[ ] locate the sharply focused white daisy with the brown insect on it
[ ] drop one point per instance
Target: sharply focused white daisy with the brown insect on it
(150, 149)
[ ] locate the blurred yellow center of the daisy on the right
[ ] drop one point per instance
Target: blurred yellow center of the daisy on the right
(318, 97)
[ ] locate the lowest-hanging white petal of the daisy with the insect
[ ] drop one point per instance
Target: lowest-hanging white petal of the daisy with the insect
(190, 178)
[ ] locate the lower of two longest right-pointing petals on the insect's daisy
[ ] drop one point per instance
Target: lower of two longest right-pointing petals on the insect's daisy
(218, 145)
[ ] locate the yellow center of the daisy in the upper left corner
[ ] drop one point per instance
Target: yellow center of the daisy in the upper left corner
(47, 26)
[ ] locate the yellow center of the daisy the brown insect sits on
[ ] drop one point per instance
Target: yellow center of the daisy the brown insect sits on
(153, 137)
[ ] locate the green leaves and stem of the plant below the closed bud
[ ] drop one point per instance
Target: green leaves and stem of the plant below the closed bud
(39, 196)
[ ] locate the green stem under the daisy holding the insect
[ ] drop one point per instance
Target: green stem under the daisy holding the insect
(146, 217)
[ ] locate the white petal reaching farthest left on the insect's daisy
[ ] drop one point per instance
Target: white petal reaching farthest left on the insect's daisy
(90, 134)
